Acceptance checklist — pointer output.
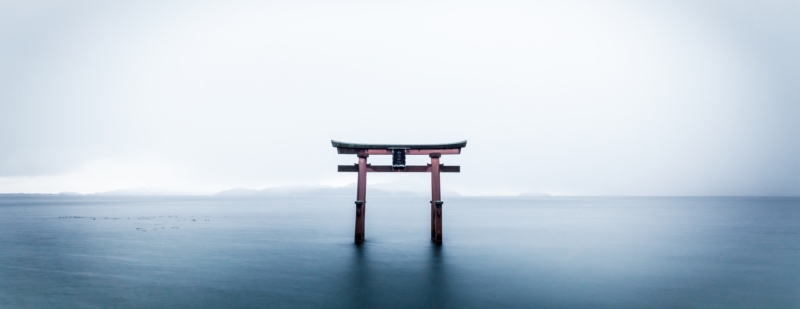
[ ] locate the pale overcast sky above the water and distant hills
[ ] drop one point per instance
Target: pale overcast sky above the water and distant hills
(559, 97)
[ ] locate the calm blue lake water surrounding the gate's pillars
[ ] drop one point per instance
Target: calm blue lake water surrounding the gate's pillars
(560, 252)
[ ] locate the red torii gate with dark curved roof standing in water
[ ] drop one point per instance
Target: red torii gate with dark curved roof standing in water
(399, 153)
